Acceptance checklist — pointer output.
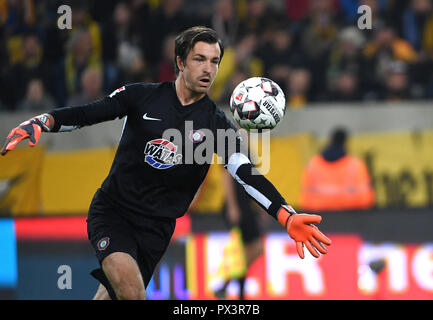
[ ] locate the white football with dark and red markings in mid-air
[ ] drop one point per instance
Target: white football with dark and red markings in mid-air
(257, 103)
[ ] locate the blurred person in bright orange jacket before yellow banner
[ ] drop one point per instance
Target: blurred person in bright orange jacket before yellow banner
(336, 180)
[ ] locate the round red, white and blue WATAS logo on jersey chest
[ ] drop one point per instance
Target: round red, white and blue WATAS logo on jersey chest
(161, 154)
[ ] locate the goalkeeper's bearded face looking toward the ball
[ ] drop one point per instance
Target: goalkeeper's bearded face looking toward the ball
(201, 66)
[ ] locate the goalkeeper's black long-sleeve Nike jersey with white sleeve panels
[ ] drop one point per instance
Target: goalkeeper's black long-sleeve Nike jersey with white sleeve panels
(157, 172)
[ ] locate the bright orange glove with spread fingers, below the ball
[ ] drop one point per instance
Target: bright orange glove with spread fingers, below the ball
(300, 229)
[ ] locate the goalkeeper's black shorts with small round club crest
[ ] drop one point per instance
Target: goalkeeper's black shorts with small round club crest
(109, 232)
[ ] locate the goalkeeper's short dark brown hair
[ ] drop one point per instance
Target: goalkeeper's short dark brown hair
(187, 39)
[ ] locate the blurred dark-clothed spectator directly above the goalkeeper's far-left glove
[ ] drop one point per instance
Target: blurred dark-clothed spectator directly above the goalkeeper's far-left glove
(36, 99)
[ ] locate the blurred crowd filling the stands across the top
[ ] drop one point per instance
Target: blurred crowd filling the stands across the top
(312, 48)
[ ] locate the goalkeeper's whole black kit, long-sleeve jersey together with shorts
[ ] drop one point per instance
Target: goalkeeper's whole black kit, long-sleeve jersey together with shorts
(164, 154)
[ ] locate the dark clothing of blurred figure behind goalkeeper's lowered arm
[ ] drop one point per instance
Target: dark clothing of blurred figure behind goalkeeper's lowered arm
(249, 220)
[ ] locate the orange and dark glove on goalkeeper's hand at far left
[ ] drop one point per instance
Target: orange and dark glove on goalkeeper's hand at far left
(30, 129)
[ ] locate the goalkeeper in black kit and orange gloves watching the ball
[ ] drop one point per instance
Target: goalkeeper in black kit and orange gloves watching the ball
(133, 214)
